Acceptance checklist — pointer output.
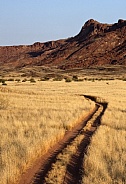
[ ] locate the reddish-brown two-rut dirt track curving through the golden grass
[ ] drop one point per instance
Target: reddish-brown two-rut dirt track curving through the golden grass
(39, 172)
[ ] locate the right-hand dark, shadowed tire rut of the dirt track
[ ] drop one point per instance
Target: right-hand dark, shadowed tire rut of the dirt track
(75, 170)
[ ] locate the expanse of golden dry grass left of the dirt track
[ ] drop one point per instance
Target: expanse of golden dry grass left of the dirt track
(32, 118)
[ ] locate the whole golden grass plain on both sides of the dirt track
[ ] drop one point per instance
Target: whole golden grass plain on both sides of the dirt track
(35, 116)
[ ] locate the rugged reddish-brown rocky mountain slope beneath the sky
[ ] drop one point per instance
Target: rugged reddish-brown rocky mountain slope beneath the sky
(96, 44)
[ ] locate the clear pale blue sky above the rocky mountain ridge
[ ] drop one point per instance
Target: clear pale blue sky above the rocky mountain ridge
(23, 22)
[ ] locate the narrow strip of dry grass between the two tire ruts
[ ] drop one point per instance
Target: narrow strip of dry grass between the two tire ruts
(59, 170)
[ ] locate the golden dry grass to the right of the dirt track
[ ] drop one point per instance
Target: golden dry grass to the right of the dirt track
(105, 162)
